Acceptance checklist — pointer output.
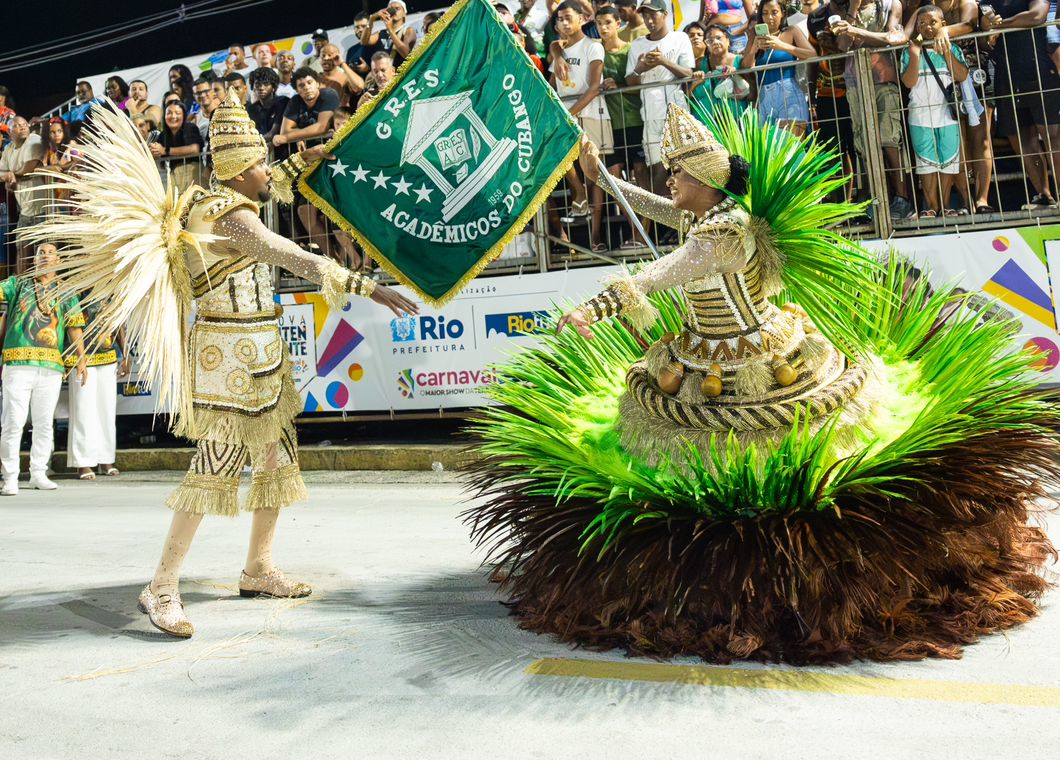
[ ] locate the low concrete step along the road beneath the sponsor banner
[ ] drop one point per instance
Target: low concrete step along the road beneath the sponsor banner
(409, 457)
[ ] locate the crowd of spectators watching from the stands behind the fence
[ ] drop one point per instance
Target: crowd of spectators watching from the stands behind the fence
(941, 82)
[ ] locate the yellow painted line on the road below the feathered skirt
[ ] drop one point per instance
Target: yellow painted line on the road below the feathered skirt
(808, 681)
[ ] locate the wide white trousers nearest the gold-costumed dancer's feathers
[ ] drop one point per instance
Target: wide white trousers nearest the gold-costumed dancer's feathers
(93, 418)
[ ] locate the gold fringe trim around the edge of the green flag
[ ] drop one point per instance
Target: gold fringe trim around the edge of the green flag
(362, 114)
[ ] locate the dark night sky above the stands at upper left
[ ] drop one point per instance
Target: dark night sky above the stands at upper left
(33, 23)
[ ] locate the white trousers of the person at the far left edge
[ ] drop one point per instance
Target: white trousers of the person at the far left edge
(29, 393)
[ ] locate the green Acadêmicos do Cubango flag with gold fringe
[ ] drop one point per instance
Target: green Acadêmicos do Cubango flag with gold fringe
(438, 173)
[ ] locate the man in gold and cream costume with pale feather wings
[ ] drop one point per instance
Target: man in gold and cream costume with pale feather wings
(146, 256)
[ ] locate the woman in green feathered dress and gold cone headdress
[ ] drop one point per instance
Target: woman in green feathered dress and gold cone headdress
(648, 490)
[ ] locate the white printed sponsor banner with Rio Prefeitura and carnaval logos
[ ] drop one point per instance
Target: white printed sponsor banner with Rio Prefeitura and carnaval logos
(361, 359)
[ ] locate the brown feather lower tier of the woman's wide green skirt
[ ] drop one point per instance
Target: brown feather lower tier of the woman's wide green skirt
(951, 559)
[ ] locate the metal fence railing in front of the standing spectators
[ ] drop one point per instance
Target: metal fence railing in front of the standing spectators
(991, 165)
